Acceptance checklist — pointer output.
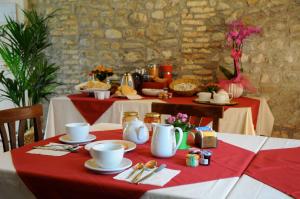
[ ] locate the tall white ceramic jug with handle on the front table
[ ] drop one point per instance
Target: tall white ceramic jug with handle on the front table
(163, 143)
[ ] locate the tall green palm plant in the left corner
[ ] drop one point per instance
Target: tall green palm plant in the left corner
(29, 77)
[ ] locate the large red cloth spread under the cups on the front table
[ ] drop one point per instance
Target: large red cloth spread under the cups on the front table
(66, 177)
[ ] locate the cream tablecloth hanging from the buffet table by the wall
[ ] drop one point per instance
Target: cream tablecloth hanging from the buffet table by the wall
(236, 120)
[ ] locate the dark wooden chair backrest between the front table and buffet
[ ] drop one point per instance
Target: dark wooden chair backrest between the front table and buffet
(199, 111)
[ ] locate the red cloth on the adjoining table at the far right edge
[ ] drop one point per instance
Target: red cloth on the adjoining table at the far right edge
(278, 168)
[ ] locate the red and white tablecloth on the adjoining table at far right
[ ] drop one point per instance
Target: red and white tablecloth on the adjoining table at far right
(273, 173)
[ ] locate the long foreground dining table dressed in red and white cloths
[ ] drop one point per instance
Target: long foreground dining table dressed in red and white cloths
(242, 166)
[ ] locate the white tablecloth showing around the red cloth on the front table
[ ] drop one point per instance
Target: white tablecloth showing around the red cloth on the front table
(12, 187)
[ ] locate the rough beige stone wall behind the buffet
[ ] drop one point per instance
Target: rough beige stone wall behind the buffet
(189, 34)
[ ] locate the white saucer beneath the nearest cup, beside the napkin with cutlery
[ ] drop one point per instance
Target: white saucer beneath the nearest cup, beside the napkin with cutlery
(91, 165)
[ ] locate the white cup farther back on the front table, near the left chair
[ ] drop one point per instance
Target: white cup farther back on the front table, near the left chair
(78, 131)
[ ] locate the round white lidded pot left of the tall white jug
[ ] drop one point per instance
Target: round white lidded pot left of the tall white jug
(136, 131)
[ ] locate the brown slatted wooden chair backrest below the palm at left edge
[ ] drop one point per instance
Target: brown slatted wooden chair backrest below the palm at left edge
(11, 116)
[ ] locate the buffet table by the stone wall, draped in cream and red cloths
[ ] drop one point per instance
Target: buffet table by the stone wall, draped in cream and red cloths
(237, 119)
